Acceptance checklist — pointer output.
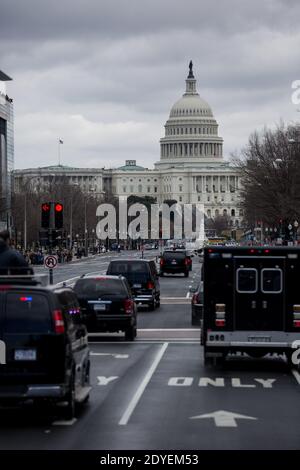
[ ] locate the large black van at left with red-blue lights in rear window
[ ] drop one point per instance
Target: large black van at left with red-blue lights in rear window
(47, 355)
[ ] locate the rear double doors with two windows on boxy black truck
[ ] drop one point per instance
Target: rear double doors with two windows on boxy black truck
(259, 293)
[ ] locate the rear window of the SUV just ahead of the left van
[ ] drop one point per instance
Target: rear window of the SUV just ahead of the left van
(99, 286)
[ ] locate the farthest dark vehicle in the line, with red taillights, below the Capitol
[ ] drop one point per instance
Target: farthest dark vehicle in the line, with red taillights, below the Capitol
(175, 262)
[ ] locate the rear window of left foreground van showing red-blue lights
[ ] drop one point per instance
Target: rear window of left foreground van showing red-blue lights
(27, 313)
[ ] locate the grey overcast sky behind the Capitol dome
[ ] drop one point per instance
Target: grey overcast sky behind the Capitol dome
(103, 75)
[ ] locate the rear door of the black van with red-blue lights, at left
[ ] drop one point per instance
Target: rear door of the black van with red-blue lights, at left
(34, 353)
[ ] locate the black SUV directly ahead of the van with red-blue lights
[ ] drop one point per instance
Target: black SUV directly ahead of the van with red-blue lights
(107, 304)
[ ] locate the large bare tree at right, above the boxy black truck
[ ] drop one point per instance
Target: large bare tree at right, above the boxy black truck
(270, 168)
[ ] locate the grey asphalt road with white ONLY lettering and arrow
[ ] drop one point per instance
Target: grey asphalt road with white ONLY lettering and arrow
(156, 393)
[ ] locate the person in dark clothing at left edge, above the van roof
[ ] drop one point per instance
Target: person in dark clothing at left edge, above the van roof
(11, 261)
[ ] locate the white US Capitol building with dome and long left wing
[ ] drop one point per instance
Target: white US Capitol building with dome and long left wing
(191, 168)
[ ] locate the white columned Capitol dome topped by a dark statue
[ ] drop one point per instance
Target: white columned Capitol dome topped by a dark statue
(191, 131)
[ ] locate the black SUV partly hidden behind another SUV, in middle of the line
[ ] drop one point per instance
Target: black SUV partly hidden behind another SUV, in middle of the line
(142, 277)
